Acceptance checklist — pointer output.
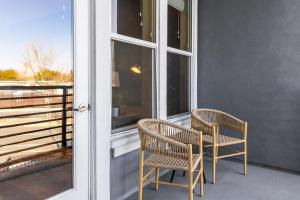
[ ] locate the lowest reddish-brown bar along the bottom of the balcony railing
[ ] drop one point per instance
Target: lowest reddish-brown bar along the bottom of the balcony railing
(31, 157)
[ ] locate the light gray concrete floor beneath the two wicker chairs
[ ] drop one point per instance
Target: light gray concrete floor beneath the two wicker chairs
(260, 184)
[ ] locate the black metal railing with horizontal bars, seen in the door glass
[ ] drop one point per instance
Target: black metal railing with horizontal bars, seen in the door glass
(35, 122)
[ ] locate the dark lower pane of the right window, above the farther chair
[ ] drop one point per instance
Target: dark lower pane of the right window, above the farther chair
(178, 84)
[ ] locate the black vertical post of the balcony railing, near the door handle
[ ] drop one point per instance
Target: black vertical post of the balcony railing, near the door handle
(64, 118)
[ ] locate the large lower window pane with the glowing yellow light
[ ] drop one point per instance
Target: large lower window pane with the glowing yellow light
(131, 83)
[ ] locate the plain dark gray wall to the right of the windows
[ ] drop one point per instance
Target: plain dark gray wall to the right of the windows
(249, 65)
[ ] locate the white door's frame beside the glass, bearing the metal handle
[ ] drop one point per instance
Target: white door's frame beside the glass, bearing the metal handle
(80, 190)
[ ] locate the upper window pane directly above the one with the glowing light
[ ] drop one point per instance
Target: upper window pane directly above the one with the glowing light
(134, 18)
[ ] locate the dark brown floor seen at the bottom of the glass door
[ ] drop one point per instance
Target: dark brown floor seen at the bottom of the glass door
(39, 185)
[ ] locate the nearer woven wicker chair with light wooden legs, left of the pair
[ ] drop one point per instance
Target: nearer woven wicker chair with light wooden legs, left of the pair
(165, 142)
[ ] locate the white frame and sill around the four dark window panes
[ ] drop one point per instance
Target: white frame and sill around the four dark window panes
(160, 47)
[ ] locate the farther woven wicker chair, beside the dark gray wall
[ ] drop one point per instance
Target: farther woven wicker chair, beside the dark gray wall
(209, 121)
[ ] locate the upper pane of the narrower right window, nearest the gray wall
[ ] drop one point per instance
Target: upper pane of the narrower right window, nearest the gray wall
(179, 24)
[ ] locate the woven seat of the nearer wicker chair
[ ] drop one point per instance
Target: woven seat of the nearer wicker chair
(168, 162)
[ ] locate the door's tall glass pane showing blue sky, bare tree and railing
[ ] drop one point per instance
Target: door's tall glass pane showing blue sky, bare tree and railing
(36, 95)
